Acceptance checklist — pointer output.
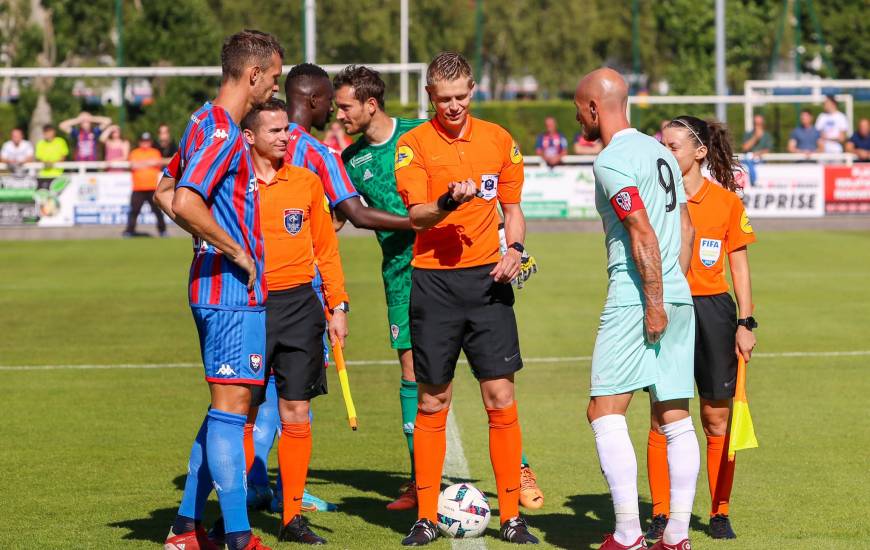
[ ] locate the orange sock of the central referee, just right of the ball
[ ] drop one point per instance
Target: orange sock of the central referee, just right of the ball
(505, 453)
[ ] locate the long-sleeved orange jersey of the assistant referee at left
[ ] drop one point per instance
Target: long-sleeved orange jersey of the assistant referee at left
(298, 232)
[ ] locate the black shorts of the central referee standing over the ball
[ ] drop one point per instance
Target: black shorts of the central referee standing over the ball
(462, 309)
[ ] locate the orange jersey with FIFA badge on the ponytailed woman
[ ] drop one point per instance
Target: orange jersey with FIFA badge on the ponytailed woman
(721, 227)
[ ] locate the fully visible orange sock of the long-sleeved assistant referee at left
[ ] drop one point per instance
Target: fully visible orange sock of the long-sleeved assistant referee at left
(294, 453)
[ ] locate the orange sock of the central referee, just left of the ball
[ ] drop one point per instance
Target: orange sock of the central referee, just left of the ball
(430, 445)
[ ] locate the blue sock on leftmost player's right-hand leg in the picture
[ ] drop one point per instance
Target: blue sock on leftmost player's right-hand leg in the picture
(225, 454)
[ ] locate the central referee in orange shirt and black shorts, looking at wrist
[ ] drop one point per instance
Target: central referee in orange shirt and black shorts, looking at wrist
(451, 173)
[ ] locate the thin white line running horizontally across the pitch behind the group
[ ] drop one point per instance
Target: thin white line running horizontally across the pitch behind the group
(568, 359)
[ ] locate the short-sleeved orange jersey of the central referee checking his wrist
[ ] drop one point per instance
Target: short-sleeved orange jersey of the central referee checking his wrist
(427, 159)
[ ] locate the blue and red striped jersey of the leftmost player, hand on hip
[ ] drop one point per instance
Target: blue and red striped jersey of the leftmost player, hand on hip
(213, 160)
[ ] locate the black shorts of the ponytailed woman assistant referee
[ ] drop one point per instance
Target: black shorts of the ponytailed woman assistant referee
(715, 333)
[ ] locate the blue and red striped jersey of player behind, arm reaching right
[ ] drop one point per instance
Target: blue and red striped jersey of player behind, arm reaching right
(306, 151)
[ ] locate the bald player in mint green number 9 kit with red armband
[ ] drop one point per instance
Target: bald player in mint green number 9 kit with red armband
(646, 338)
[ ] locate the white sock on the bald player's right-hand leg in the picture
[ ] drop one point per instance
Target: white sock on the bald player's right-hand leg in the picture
(684, 461)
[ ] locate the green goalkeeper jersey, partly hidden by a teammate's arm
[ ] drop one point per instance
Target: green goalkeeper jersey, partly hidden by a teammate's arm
(370, 167)
